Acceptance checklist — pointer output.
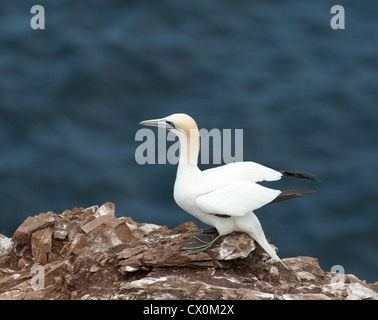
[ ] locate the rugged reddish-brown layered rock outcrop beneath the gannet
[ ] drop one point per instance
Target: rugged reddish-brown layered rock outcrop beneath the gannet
(91, 254)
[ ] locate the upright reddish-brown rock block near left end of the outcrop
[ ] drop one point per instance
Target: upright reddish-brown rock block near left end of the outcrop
(41, 245)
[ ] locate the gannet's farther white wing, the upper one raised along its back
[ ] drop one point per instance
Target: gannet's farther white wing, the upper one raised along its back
(246, 171)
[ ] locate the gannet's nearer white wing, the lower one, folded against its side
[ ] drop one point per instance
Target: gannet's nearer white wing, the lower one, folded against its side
(236, 199)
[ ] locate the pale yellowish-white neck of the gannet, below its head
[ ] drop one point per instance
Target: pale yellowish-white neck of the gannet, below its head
(189, 148)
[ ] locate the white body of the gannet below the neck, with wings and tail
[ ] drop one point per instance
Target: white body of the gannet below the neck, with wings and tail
(209, 192)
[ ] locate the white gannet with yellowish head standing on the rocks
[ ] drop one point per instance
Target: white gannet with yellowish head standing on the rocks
(226, 196)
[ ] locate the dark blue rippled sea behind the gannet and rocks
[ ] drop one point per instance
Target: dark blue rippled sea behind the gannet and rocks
(305, 95)
